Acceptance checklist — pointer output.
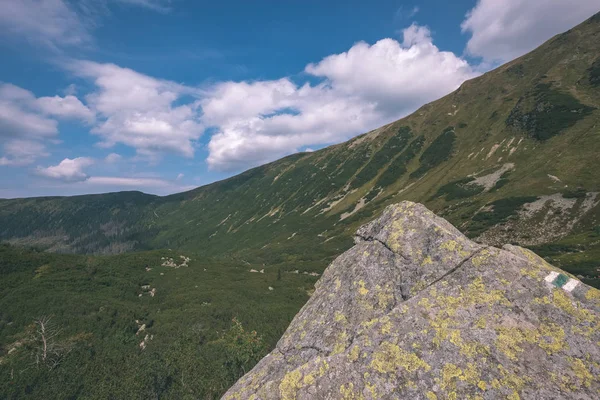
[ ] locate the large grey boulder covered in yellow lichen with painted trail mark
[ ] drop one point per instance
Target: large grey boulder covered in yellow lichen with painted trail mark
(415, 310)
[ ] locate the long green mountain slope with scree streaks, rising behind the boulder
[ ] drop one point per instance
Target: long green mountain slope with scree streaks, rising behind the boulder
(508, 157)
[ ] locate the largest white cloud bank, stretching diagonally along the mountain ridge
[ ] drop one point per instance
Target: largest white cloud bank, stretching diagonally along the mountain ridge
(367, 86)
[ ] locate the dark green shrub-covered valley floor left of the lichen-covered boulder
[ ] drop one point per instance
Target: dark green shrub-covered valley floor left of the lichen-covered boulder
(98, 305)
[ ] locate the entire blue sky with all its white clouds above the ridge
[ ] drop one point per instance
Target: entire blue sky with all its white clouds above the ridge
(163, 96)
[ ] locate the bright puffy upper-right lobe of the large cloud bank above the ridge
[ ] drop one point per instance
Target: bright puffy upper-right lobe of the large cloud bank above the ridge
(393, 75)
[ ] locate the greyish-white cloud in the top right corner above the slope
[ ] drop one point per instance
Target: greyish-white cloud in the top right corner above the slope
(505, 29)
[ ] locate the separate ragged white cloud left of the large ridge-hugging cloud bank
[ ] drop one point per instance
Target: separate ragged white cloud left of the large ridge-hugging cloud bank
(140, 111)
